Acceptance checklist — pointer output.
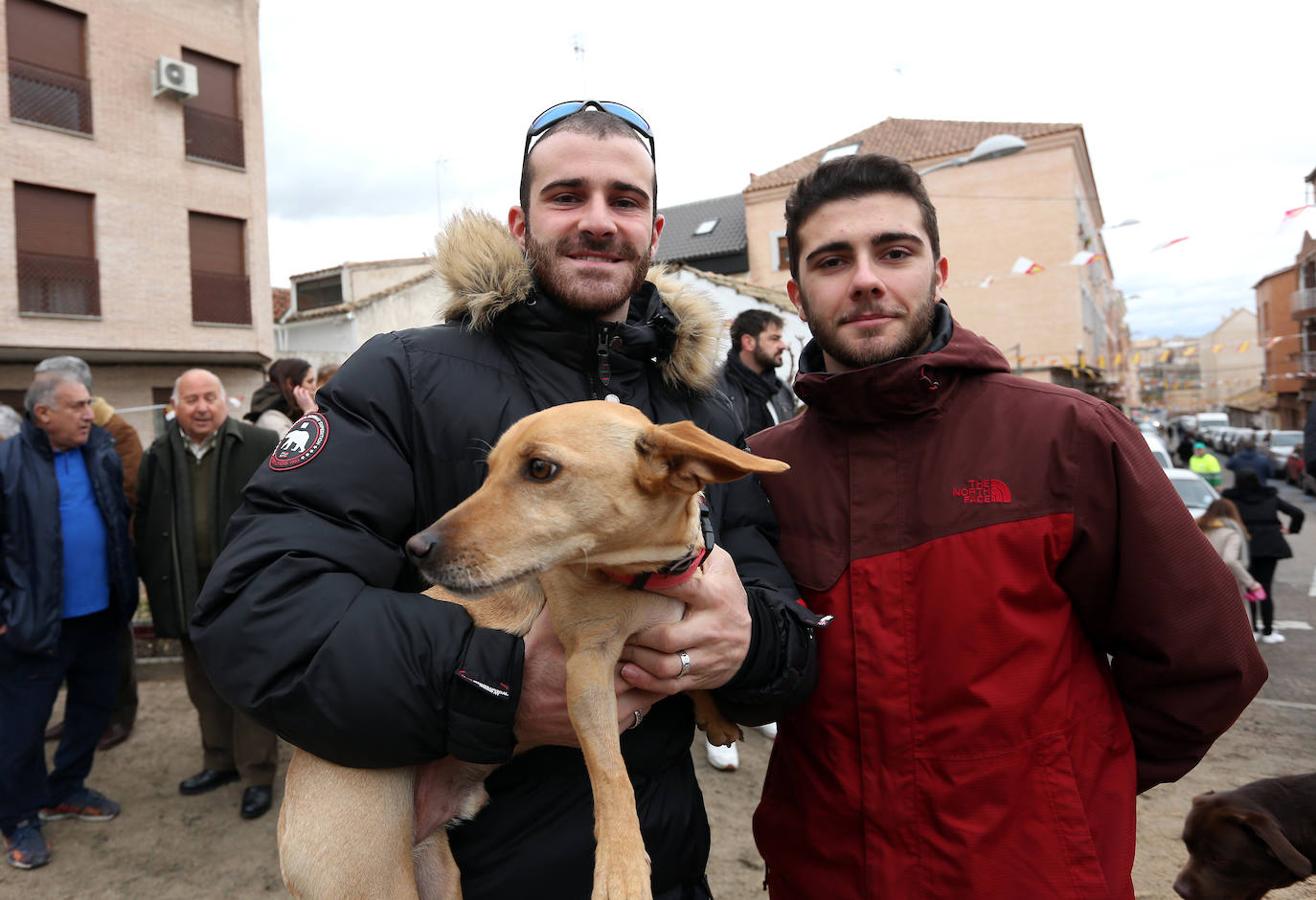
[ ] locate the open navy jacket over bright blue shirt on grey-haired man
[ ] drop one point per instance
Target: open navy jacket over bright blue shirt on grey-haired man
(32, 590)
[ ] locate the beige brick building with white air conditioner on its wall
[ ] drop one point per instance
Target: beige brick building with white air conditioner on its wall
(132, 195)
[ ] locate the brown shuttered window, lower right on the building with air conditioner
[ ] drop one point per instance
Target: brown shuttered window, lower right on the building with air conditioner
(220, 290)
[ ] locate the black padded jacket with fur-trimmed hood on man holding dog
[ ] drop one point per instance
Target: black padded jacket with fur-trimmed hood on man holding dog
(311, 620)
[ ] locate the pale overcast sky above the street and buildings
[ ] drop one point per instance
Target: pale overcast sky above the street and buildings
(386, 116)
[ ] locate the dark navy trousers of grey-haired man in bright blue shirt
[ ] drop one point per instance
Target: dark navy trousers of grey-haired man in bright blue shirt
(88, 659)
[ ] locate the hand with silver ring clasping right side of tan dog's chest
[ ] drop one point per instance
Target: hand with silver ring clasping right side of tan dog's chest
(714, 634)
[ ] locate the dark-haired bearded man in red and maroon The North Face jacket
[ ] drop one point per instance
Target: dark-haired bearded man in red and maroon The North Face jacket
(1028, 627)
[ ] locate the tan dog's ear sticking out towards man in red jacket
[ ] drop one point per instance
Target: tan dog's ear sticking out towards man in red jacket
(684, 457)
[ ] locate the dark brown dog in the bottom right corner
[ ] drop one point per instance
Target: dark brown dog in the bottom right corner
(1248, 841)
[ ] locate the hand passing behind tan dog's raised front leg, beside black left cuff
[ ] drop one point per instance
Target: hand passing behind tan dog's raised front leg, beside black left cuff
(542, 716)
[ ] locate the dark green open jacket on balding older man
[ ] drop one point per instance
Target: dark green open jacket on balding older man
(166, 547)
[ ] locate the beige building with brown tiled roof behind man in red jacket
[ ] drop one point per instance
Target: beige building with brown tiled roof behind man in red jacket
(1065, 322)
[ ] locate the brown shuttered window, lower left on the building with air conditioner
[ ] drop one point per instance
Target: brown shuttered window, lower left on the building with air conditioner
(57, 252)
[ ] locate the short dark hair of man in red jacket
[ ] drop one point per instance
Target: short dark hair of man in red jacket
(851, 178)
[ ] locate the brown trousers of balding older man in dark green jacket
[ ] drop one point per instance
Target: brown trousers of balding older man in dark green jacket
(230, 739)
